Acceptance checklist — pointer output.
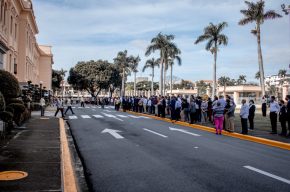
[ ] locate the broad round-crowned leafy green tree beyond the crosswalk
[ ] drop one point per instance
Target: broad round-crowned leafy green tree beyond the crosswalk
(93, 76)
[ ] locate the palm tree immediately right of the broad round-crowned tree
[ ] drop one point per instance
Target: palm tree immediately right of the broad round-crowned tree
(124, 63)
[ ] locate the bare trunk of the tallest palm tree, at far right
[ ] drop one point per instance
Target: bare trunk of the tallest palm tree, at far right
(260, 59)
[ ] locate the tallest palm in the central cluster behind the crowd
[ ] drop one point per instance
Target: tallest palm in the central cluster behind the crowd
(164, 44)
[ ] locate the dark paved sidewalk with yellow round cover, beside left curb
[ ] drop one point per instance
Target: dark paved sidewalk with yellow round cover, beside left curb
(35, 149)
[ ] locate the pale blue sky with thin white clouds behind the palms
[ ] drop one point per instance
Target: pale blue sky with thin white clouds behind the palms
(81, 30)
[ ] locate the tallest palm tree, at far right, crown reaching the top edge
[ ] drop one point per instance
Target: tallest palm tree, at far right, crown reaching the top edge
(256, 13)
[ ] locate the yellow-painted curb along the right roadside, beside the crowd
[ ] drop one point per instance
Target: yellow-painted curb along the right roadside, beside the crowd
(254, 139)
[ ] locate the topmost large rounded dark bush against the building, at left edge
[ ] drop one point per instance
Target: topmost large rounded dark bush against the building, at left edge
(9, 85)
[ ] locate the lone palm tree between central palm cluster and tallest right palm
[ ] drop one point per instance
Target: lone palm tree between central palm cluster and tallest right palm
(215, 38)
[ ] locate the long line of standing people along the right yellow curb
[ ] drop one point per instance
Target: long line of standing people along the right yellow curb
(220, 111)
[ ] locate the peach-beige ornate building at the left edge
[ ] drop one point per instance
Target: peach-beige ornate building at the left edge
(20, 53)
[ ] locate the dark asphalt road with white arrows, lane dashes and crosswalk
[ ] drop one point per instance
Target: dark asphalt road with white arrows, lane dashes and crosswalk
(123, 152)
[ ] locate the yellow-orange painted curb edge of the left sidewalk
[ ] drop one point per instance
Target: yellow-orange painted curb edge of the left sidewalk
(68, 175)
